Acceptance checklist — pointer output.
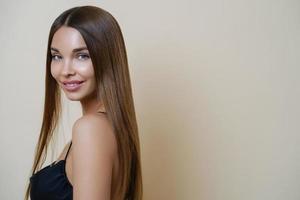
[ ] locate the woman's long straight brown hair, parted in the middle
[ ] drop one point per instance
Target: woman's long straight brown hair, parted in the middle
(105, 43)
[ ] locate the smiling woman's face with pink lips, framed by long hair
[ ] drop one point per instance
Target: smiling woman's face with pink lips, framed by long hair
(71, 65)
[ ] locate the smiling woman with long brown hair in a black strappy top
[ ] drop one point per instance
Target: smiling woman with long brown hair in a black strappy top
(86, 58)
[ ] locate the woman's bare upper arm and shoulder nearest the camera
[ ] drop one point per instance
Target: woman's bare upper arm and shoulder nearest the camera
(94, 149)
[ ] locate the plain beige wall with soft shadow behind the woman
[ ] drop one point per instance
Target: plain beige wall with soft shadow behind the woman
(216, 89)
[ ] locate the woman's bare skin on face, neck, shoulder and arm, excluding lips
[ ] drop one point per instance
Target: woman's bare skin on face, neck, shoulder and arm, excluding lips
(92, 162)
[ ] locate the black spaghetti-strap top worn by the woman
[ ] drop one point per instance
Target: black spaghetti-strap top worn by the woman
(51, 182)
